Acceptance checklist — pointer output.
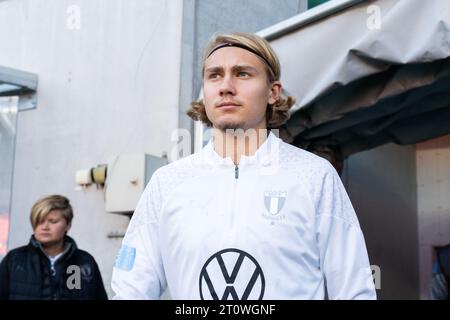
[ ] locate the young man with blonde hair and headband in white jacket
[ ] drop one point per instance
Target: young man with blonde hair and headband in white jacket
(249, 217)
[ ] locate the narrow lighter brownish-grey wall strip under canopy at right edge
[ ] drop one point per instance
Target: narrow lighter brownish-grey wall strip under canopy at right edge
(433, 196)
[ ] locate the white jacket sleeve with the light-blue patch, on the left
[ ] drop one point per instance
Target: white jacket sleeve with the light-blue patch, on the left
(138, 272)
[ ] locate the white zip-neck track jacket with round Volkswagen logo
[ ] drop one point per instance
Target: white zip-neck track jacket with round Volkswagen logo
(278, 226)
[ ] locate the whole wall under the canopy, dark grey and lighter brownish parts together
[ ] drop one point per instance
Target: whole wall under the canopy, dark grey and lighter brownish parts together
(401, 197)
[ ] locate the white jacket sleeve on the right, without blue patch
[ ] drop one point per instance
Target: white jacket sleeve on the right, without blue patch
(343, 254)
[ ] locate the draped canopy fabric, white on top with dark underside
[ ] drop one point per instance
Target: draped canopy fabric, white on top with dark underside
(358, 86)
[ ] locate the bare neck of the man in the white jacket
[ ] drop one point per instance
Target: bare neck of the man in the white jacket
(235, 143)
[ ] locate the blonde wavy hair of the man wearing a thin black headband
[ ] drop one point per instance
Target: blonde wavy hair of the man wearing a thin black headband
(277, 114)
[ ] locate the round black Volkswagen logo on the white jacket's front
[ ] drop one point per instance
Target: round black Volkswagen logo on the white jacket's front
(231, 274)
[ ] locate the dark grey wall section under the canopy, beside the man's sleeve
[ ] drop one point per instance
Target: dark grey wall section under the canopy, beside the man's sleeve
(382, 186)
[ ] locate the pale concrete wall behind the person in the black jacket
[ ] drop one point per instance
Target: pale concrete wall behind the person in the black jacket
(108, 84)
